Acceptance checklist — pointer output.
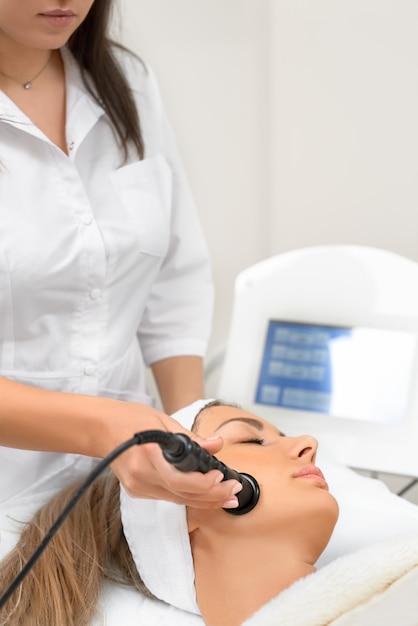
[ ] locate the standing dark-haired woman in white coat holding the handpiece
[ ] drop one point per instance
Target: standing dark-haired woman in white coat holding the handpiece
(103, 265)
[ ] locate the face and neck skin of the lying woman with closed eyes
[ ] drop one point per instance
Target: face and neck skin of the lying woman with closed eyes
(245, 560)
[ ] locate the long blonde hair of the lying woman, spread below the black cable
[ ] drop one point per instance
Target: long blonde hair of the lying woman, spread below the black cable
(63, 587)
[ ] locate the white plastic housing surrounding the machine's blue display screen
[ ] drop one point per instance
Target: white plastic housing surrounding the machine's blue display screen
(353, 287)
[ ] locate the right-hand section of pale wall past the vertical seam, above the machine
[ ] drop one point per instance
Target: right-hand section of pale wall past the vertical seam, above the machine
(344, 123)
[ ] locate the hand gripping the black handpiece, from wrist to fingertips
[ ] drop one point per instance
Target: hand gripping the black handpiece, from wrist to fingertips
(145, 473)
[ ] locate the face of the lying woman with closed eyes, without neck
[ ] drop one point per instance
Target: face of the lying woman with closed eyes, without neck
(293, 489)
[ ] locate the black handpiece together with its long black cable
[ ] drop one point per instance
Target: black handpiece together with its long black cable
(179, 450)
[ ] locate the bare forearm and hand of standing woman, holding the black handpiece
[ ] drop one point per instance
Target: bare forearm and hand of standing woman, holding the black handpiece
(53, 421)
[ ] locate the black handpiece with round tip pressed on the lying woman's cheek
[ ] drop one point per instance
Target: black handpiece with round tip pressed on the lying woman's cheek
(187, 456)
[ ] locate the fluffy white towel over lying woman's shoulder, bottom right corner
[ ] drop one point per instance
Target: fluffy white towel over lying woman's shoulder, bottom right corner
(349, 583)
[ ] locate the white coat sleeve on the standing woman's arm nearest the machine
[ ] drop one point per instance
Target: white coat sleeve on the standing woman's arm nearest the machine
(178, 315)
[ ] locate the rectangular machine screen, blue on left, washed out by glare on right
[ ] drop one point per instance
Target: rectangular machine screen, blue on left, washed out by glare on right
(356, 373)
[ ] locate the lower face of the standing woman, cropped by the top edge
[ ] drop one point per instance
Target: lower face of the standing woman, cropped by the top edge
(26, 23)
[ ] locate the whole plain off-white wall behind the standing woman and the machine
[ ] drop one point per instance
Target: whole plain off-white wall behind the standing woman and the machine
(297, 121)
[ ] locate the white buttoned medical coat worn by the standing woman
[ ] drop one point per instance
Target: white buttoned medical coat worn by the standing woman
(103, 265)
